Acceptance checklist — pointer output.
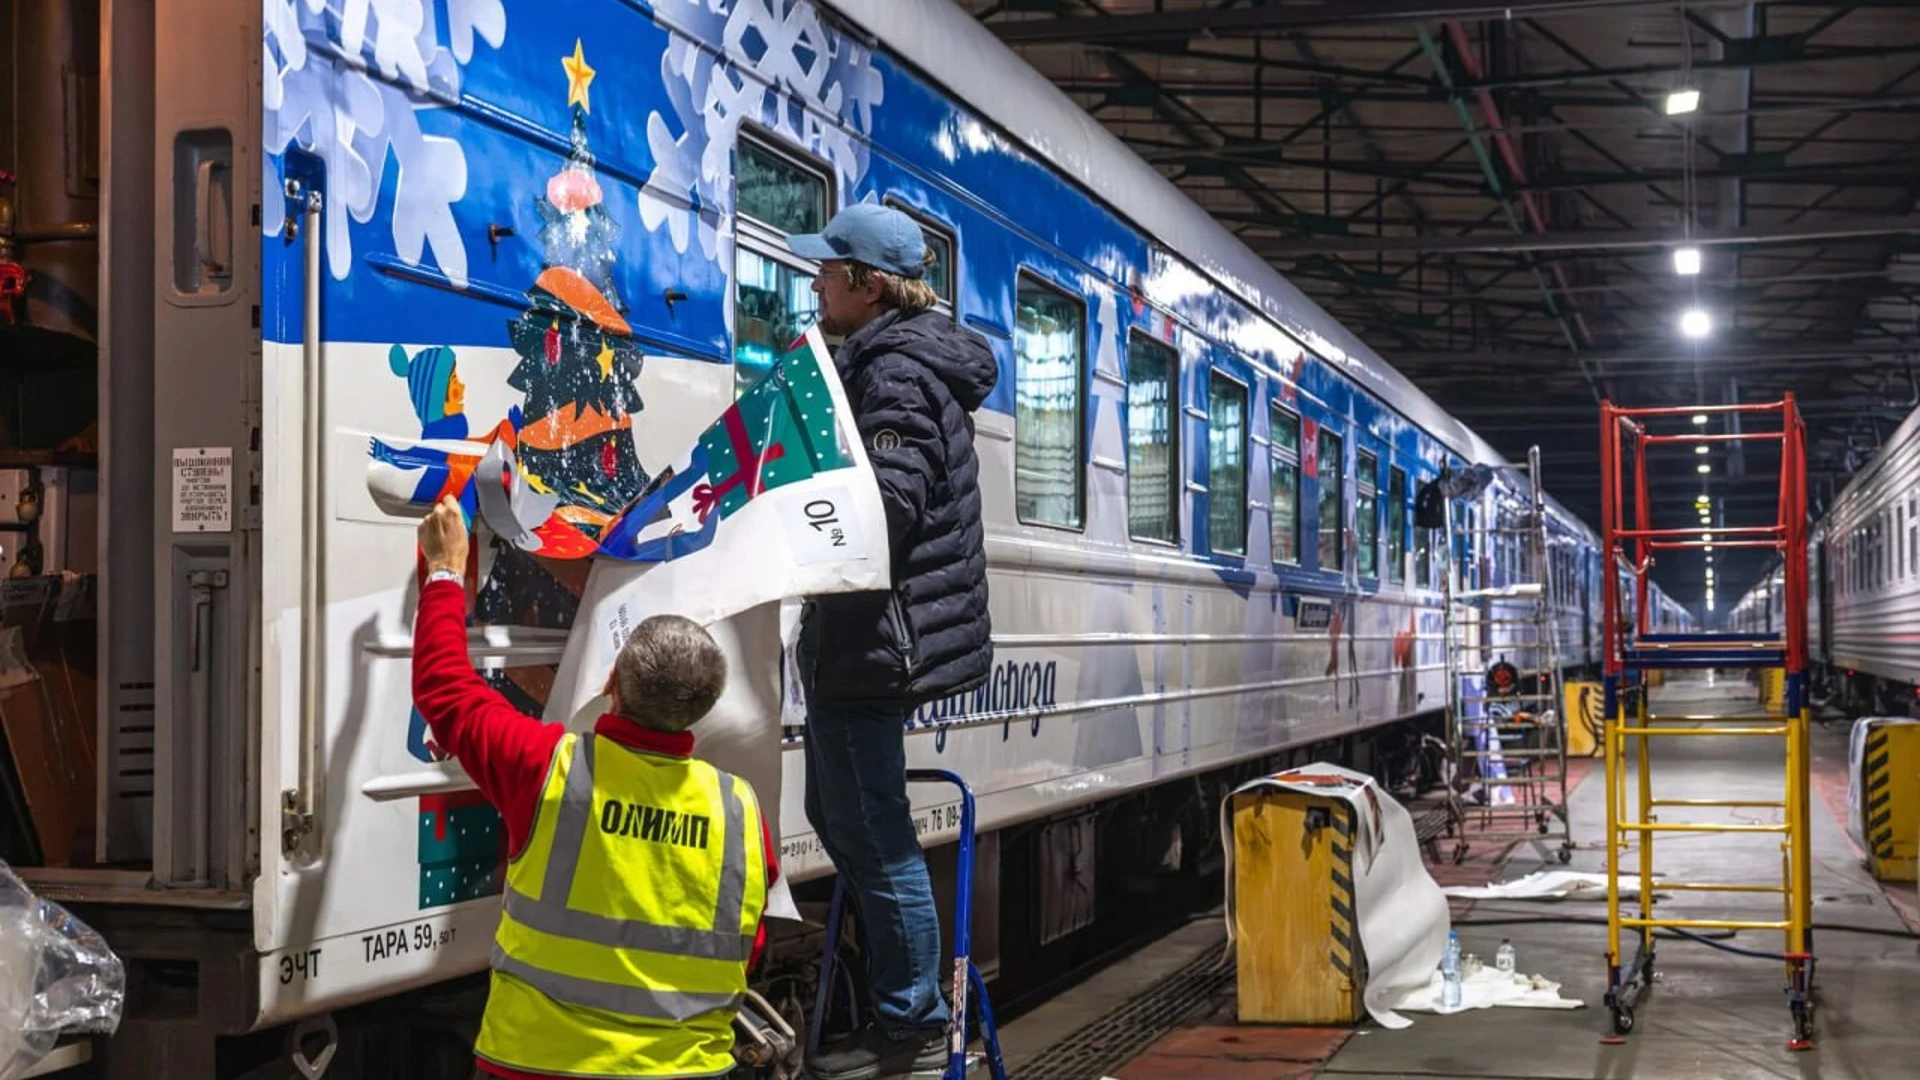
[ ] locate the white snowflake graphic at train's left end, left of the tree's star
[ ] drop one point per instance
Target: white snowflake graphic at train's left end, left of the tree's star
(345, 80)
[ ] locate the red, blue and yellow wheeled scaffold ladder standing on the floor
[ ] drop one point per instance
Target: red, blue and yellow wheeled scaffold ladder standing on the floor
(1633, 650)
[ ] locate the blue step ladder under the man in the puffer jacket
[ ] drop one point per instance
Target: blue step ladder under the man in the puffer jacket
(971, 1016)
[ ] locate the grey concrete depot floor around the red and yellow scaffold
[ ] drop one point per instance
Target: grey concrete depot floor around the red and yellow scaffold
(1710, 1016)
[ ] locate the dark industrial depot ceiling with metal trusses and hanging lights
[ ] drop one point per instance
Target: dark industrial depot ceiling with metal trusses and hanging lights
(1493, 195)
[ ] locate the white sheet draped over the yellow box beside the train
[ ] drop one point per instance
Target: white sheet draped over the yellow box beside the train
(1403, 914)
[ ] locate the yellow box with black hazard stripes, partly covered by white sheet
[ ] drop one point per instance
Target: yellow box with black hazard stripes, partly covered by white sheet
(1295, 925)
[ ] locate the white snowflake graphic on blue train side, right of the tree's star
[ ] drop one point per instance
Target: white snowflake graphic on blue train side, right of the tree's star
(780, 68)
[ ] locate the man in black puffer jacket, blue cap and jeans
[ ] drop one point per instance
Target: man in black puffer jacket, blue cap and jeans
(867, 660)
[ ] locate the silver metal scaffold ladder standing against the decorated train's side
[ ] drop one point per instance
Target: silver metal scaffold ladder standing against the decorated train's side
(1506, 729)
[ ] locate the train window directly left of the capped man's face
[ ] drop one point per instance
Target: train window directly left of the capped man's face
(773, 289)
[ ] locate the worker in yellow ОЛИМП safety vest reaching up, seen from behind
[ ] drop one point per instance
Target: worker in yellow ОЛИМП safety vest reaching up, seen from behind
(635, 885)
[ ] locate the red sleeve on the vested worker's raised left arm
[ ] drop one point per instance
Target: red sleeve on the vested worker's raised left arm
(502, 749)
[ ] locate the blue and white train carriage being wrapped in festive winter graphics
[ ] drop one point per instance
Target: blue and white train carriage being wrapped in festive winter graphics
(1197, 485)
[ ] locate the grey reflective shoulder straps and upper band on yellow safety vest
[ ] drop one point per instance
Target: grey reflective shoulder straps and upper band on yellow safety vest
(569, 835)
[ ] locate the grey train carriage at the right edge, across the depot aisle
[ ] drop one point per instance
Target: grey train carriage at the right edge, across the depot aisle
(1863, 599)
